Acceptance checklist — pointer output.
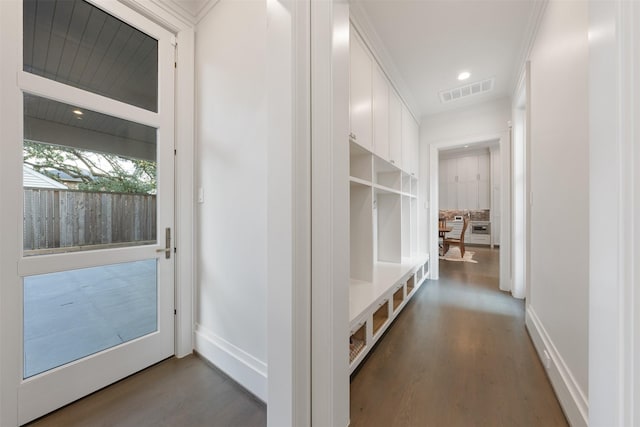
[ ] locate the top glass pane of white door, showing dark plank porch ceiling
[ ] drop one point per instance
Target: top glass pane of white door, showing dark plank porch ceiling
(78, 44)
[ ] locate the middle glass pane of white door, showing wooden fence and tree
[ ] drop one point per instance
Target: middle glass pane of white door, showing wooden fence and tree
(89, 179)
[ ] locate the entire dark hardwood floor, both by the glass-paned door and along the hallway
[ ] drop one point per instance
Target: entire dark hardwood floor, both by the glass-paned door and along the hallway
(458, 355)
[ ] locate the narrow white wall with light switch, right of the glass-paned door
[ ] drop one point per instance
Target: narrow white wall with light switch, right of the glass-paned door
(231, 161)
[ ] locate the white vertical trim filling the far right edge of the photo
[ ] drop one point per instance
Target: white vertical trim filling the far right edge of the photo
(614, 169)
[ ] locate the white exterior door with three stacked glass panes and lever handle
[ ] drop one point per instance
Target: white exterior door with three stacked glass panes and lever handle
(95, 271)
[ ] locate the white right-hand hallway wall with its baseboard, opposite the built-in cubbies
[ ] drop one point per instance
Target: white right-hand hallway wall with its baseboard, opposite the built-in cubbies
(557, 311)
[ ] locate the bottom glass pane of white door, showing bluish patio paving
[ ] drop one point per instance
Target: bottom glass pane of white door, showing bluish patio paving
(72, 314)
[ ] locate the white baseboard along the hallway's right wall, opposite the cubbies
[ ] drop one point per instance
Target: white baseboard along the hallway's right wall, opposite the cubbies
(572, 399)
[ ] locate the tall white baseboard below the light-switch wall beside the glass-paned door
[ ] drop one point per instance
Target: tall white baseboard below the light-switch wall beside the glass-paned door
(242, 367)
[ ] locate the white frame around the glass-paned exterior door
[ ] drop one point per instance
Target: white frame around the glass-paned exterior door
(11, 47)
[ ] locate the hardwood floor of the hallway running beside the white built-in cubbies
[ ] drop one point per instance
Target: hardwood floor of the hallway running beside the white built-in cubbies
(458, 355)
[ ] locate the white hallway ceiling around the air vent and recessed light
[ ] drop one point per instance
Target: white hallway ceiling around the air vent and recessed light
(424, 44)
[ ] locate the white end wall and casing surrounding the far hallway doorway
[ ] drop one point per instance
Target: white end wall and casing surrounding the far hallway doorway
(479, 123)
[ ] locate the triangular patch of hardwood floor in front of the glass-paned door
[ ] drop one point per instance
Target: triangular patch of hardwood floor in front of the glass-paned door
(174, 393)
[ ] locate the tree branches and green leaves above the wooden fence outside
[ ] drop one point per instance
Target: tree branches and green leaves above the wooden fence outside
(92, 171)
